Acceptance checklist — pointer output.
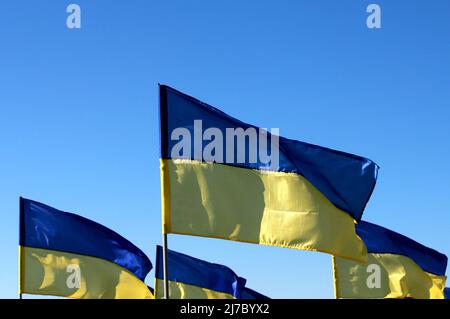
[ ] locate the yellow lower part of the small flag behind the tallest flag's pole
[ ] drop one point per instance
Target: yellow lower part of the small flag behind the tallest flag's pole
(179, 290)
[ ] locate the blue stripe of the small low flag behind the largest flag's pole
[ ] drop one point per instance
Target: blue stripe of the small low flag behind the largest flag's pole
(196, 272)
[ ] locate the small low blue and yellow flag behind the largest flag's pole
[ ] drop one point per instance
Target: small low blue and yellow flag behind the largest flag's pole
(192, 278)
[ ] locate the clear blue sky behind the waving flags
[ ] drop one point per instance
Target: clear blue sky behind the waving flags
(79, 113)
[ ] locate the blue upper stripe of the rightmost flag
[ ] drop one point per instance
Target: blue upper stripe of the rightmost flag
(384, 241)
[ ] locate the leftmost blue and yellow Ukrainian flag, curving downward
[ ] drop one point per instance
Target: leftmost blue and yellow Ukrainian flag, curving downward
(63, 254)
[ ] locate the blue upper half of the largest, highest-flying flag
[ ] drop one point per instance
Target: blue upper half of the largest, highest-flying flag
(344, 179)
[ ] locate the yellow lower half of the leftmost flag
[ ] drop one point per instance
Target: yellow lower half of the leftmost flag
(56, 273)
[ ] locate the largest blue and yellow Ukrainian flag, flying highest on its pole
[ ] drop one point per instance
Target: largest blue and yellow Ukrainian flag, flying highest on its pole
(309, 201)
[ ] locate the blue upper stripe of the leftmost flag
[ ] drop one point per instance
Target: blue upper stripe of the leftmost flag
(48, 228)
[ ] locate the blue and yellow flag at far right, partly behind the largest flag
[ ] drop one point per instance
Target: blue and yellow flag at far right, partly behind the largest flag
(397, 267)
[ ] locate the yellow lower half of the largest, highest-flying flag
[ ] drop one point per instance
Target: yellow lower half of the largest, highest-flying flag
(270, 208)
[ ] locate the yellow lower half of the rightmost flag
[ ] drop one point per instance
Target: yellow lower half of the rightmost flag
(385, 276)
